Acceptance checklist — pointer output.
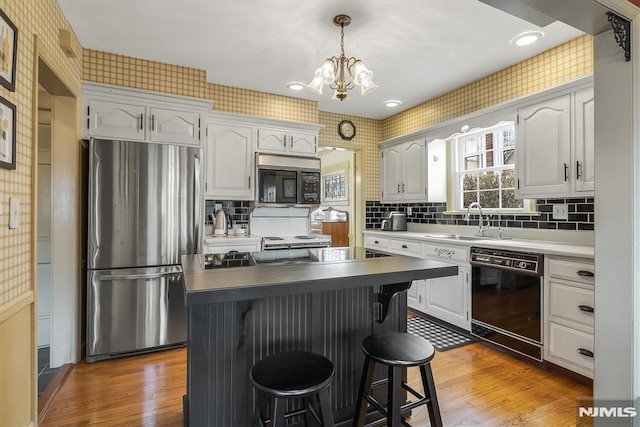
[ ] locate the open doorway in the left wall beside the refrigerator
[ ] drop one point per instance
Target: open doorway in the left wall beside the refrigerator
(56, 226)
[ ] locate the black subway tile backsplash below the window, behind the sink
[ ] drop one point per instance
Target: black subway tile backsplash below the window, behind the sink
(580, 210)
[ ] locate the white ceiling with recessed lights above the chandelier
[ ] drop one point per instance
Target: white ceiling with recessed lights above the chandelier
(417, 49)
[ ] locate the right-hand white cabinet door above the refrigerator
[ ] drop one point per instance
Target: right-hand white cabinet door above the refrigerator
(174, 126)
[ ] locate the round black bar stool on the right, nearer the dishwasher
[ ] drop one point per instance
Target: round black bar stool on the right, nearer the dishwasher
(396, 350)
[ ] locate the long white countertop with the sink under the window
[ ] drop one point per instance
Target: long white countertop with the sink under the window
(528, 245)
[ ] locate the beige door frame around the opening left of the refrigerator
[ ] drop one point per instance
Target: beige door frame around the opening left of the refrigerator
(66, 218)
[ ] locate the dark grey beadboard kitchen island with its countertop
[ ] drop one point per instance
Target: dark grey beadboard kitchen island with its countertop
(326, 302)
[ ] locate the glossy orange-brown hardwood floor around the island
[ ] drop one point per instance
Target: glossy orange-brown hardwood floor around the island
(477, 386)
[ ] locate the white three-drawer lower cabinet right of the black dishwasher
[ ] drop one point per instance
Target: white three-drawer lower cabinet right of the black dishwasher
(569, 314)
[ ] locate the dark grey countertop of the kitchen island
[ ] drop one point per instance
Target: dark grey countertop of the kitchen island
(335, 268)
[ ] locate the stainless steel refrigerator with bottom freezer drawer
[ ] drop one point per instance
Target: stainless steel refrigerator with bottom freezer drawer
(145, 206)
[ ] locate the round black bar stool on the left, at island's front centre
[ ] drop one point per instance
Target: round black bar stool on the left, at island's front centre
(289, 375)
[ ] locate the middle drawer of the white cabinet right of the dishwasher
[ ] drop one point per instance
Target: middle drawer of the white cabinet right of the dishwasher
(572, 304)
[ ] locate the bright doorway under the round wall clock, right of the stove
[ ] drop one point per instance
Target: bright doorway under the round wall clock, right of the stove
(341, 192)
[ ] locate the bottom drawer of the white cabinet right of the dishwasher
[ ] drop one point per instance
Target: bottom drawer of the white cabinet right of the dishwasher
(565, 342)
